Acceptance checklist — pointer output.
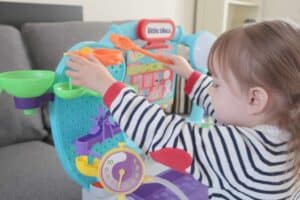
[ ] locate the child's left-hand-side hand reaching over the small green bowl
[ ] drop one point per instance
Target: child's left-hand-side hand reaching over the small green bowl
(89, 72)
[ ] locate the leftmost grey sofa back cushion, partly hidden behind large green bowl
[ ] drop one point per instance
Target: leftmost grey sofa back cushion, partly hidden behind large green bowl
(14, 125)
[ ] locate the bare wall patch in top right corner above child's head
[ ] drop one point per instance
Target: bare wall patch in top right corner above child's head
(281, 9)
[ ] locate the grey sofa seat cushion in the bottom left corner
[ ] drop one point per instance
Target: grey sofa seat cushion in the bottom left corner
(37, 174)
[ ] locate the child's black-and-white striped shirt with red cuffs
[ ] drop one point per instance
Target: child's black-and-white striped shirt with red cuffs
(234, 162)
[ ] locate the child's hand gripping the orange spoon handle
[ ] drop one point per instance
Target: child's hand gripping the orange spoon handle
(180, 66)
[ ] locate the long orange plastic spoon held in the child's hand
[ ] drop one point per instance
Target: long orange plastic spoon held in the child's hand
(126, 44)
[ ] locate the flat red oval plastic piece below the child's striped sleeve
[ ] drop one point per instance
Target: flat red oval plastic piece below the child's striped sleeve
(176, 159)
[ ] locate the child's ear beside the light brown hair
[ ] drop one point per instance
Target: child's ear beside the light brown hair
(257, 100)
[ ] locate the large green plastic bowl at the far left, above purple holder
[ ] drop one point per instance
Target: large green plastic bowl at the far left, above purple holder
(26, 83)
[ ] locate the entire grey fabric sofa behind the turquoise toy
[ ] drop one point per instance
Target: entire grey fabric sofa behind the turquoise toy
(29, 166)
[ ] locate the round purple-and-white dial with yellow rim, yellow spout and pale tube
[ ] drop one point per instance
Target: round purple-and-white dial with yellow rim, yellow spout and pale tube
(121, 171)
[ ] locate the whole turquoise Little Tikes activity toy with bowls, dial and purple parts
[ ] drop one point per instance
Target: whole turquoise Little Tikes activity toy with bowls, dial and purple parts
(91, 146)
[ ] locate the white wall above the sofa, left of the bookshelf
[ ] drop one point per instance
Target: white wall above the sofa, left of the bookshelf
(181, 11)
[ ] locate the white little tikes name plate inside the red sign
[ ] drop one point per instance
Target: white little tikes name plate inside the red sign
(158, 30)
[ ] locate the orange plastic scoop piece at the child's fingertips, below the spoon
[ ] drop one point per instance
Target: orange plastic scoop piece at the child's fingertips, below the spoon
(107, 57)
